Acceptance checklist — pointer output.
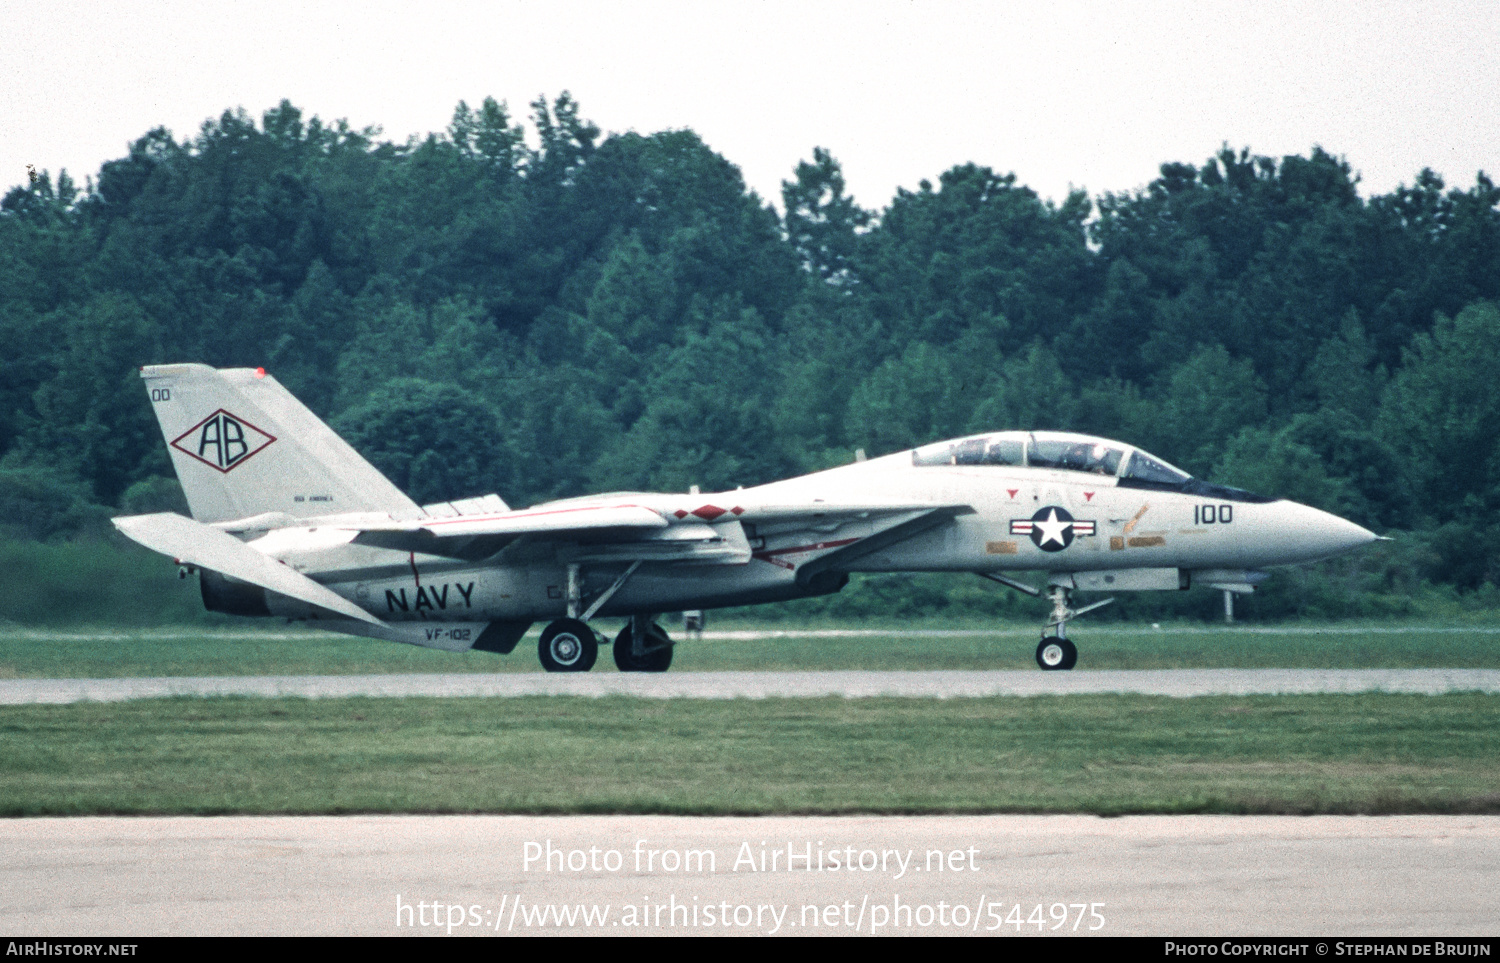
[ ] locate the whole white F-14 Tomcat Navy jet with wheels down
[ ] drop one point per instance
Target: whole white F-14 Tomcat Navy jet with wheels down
(290, 521)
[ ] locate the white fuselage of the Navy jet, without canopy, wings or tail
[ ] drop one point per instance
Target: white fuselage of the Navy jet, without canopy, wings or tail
(1016, 520)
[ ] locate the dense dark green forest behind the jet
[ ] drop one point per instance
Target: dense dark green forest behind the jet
(571, 311)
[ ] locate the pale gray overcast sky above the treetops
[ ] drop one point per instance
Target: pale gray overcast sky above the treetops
(1090, 95)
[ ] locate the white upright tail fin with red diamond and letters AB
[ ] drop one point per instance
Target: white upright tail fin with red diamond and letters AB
(242, 446)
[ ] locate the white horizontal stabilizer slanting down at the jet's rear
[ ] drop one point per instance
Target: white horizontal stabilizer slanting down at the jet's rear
(209, 548)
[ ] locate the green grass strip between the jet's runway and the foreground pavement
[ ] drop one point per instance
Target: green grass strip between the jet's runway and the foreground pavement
(1109, 755)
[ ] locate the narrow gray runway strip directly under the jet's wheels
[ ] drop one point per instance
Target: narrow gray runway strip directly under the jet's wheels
(949, 685)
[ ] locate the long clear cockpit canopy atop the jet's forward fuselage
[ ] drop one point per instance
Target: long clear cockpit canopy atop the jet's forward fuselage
(1069, 452)
